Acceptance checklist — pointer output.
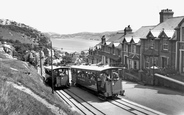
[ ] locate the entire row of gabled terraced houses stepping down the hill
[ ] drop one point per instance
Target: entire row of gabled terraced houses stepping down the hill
(160, 45)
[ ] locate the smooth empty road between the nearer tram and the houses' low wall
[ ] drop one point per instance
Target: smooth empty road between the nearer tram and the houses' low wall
(160, 99)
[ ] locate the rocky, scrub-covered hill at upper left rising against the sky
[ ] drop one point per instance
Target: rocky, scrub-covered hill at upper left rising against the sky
(11, 30)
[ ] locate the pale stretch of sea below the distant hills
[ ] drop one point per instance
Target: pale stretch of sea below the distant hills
(73, 45)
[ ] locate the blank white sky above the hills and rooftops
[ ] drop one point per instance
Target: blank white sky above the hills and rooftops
(73, 16)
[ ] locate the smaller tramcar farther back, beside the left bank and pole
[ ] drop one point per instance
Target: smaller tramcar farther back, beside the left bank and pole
(60, 75)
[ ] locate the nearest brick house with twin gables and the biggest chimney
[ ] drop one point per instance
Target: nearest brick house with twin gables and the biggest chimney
(159, 47)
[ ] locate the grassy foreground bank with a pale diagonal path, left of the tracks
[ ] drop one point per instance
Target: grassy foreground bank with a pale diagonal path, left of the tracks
(22, 91)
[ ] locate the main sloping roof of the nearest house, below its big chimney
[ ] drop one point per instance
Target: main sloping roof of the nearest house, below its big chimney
(169, 24)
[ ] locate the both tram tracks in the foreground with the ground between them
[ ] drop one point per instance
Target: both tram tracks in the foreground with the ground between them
(118, 105)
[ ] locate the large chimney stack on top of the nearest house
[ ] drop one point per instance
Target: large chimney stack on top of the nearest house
(165, 14)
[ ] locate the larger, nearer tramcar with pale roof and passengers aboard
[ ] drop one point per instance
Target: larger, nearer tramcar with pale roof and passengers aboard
(103, 80)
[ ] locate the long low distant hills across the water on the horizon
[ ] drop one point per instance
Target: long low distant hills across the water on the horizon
(81, 35)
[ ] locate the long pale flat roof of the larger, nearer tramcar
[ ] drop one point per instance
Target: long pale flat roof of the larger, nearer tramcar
(95, 68)
